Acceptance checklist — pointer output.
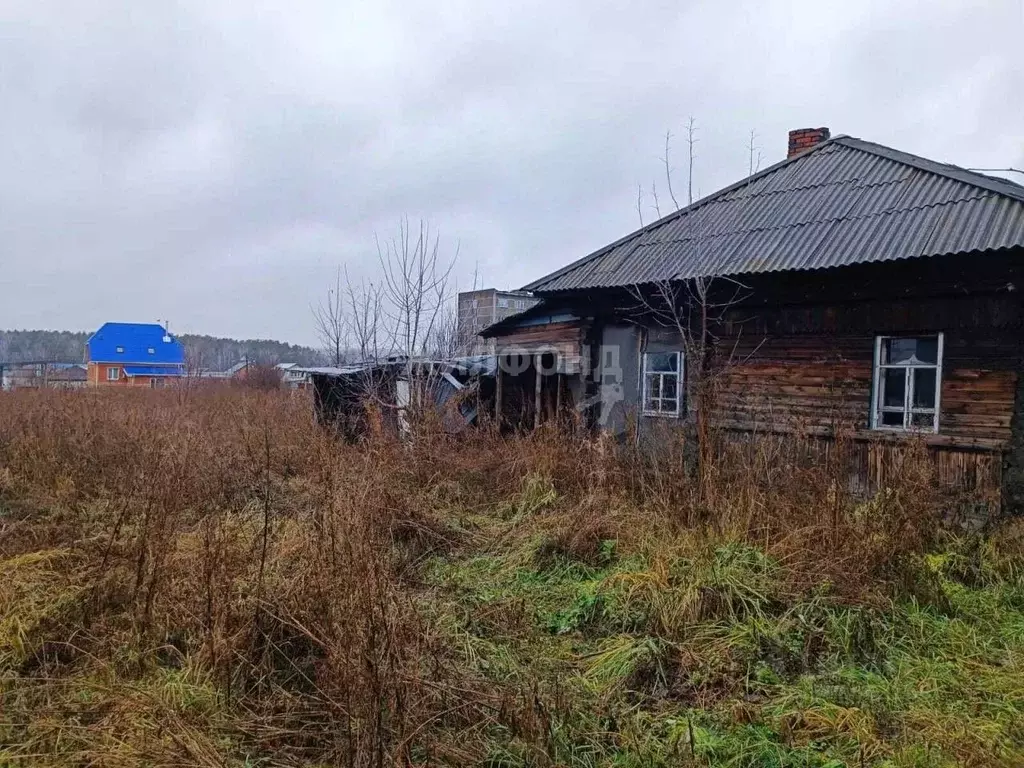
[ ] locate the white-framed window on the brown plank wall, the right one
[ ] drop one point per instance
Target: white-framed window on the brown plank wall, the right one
(907, 381)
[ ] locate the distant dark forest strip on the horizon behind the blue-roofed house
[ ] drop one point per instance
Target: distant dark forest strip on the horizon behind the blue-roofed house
(208, 353)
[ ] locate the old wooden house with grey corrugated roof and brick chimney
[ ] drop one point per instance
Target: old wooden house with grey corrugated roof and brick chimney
(850, 287)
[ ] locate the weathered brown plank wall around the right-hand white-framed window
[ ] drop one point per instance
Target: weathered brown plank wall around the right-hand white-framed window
(808, 370)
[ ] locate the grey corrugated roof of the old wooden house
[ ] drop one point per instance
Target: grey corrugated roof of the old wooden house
(845, 202)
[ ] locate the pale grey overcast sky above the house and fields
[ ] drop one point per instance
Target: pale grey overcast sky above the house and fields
(212, 162)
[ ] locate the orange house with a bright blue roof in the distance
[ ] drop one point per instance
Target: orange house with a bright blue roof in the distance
(135, 355)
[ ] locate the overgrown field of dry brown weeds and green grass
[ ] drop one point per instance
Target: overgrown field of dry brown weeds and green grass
(207, 579)
